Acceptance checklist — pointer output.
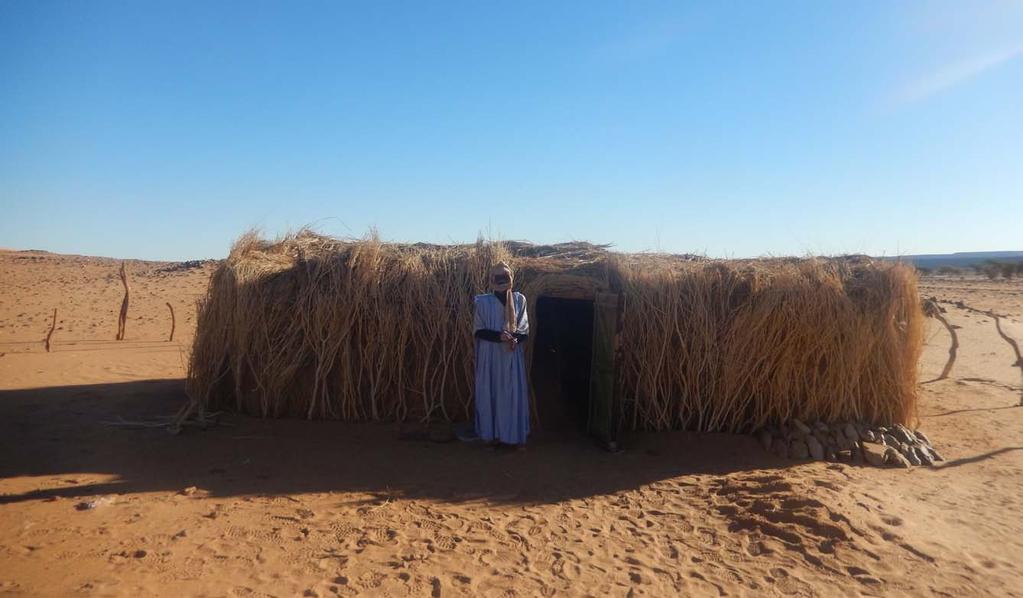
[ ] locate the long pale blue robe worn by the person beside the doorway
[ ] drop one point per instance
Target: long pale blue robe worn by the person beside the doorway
(502, 391)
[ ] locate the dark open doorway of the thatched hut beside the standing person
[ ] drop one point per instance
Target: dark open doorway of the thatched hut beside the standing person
(562, 360)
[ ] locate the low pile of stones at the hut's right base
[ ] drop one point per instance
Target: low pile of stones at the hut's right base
(894, 446)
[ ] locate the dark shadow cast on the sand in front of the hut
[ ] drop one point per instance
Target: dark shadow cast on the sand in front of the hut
(60, 433)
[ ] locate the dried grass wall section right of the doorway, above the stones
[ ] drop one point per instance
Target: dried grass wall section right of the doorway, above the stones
(736, 346)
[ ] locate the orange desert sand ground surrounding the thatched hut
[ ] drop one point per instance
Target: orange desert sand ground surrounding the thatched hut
(287, 509)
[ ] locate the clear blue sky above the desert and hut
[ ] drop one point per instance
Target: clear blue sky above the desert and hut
(735, 129)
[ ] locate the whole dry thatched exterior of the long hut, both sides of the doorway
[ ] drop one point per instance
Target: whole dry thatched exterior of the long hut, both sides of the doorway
(318, 328)
